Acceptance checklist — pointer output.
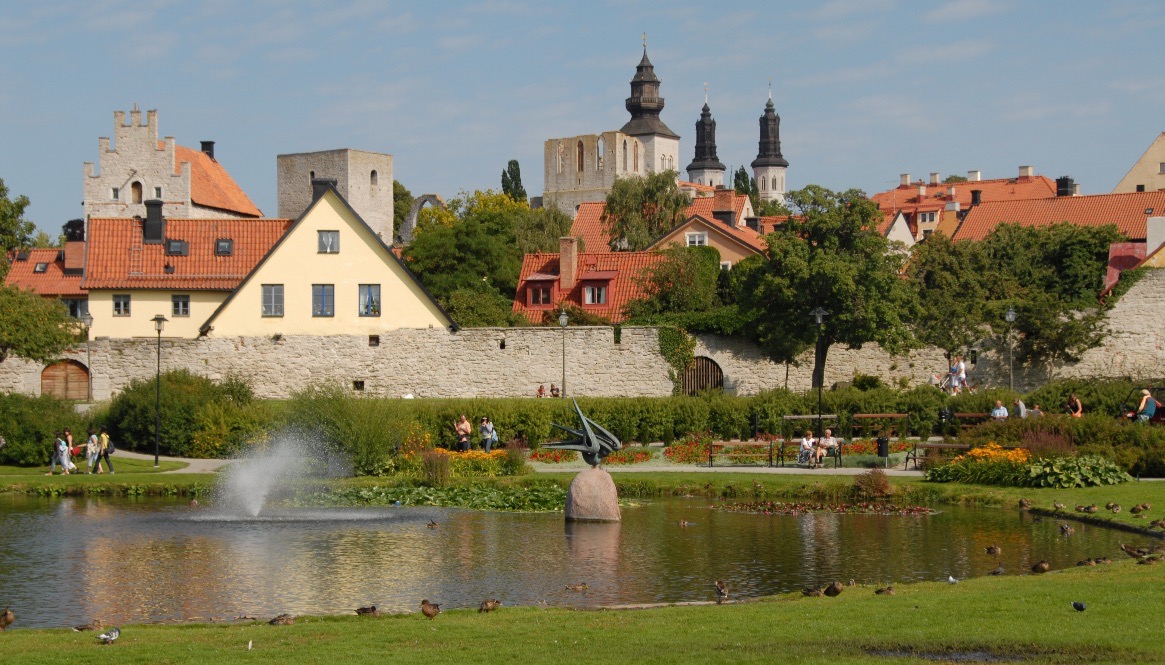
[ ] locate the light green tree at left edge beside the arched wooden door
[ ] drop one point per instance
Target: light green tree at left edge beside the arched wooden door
(34, 328)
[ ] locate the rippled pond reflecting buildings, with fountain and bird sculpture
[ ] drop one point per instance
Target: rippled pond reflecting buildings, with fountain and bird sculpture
(66, 562)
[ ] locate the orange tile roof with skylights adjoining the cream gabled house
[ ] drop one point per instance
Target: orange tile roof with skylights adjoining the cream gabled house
(119, 260)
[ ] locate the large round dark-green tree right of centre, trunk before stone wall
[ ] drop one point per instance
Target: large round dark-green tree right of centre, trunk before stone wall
(829, 256)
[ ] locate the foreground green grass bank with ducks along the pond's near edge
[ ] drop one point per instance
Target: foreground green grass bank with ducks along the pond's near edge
(1027, 619)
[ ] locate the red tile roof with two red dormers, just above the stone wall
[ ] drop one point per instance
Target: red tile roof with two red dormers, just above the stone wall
(625, 287)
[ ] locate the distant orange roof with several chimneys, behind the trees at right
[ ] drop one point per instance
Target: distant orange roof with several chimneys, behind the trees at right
(907, 200)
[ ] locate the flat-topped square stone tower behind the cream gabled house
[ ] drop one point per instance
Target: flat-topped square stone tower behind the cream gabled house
(365, 180)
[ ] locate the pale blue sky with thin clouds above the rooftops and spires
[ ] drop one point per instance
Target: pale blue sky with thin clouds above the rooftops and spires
(866, 89)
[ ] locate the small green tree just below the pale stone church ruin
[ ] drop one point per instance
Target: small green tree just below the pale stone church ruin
(642, 209)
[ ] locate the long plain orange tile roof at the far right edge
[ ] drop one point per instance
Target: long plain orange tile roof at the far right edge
(1127, 211)
